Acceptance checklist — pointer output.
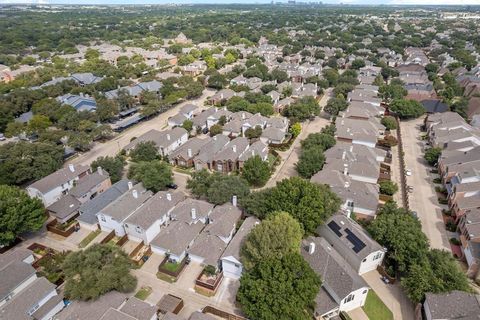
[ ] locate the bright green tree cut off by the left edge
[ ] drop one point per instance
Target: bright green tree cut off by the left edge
(18, 214)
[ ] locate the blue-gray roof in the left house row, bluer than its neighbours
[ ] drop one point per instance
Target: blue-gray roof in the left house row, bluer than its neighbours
(88, 211)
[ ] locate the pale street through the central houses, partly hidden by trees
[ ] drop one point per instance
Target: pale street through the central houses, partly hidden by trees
(286, 168)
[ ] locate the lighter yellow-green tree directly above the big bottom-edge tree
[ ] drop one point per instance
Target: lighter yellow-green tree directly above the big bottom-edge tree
(275, 237)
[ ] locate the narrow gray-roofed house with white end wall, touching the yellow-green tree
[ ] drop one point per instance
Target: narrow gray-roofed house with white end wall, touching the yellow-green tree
(230, 259)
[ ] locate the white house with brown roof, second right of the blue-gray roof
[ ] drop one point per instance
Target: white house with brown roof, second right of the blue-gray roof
(145, 223)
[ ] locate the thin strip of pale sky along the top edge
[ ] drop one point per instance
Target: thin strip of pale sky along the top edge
(357, 2)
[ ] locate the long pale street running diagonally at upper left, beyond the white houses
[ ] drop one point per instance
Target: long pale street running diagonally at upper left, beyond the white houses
(113, 146)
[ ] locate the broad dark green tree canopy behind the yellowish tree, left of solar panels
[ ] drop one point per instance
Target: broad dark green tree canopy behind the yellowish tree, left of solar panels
(311, 204)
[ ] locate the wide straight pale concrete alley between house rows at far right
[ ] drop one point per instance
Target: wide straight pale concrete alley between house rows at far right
(423, 199)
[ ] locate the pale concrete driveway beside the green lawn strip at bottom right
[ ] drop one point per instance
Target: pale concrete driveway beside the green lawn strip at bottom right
(392, 296)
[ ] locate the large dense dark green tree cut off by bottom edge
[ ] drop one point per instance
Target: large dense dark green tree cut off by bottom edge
(279, 289)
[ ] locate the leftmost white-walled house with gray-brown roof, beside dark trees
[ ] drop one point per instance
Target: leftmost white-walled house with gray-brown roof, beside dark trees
(50, 188)
